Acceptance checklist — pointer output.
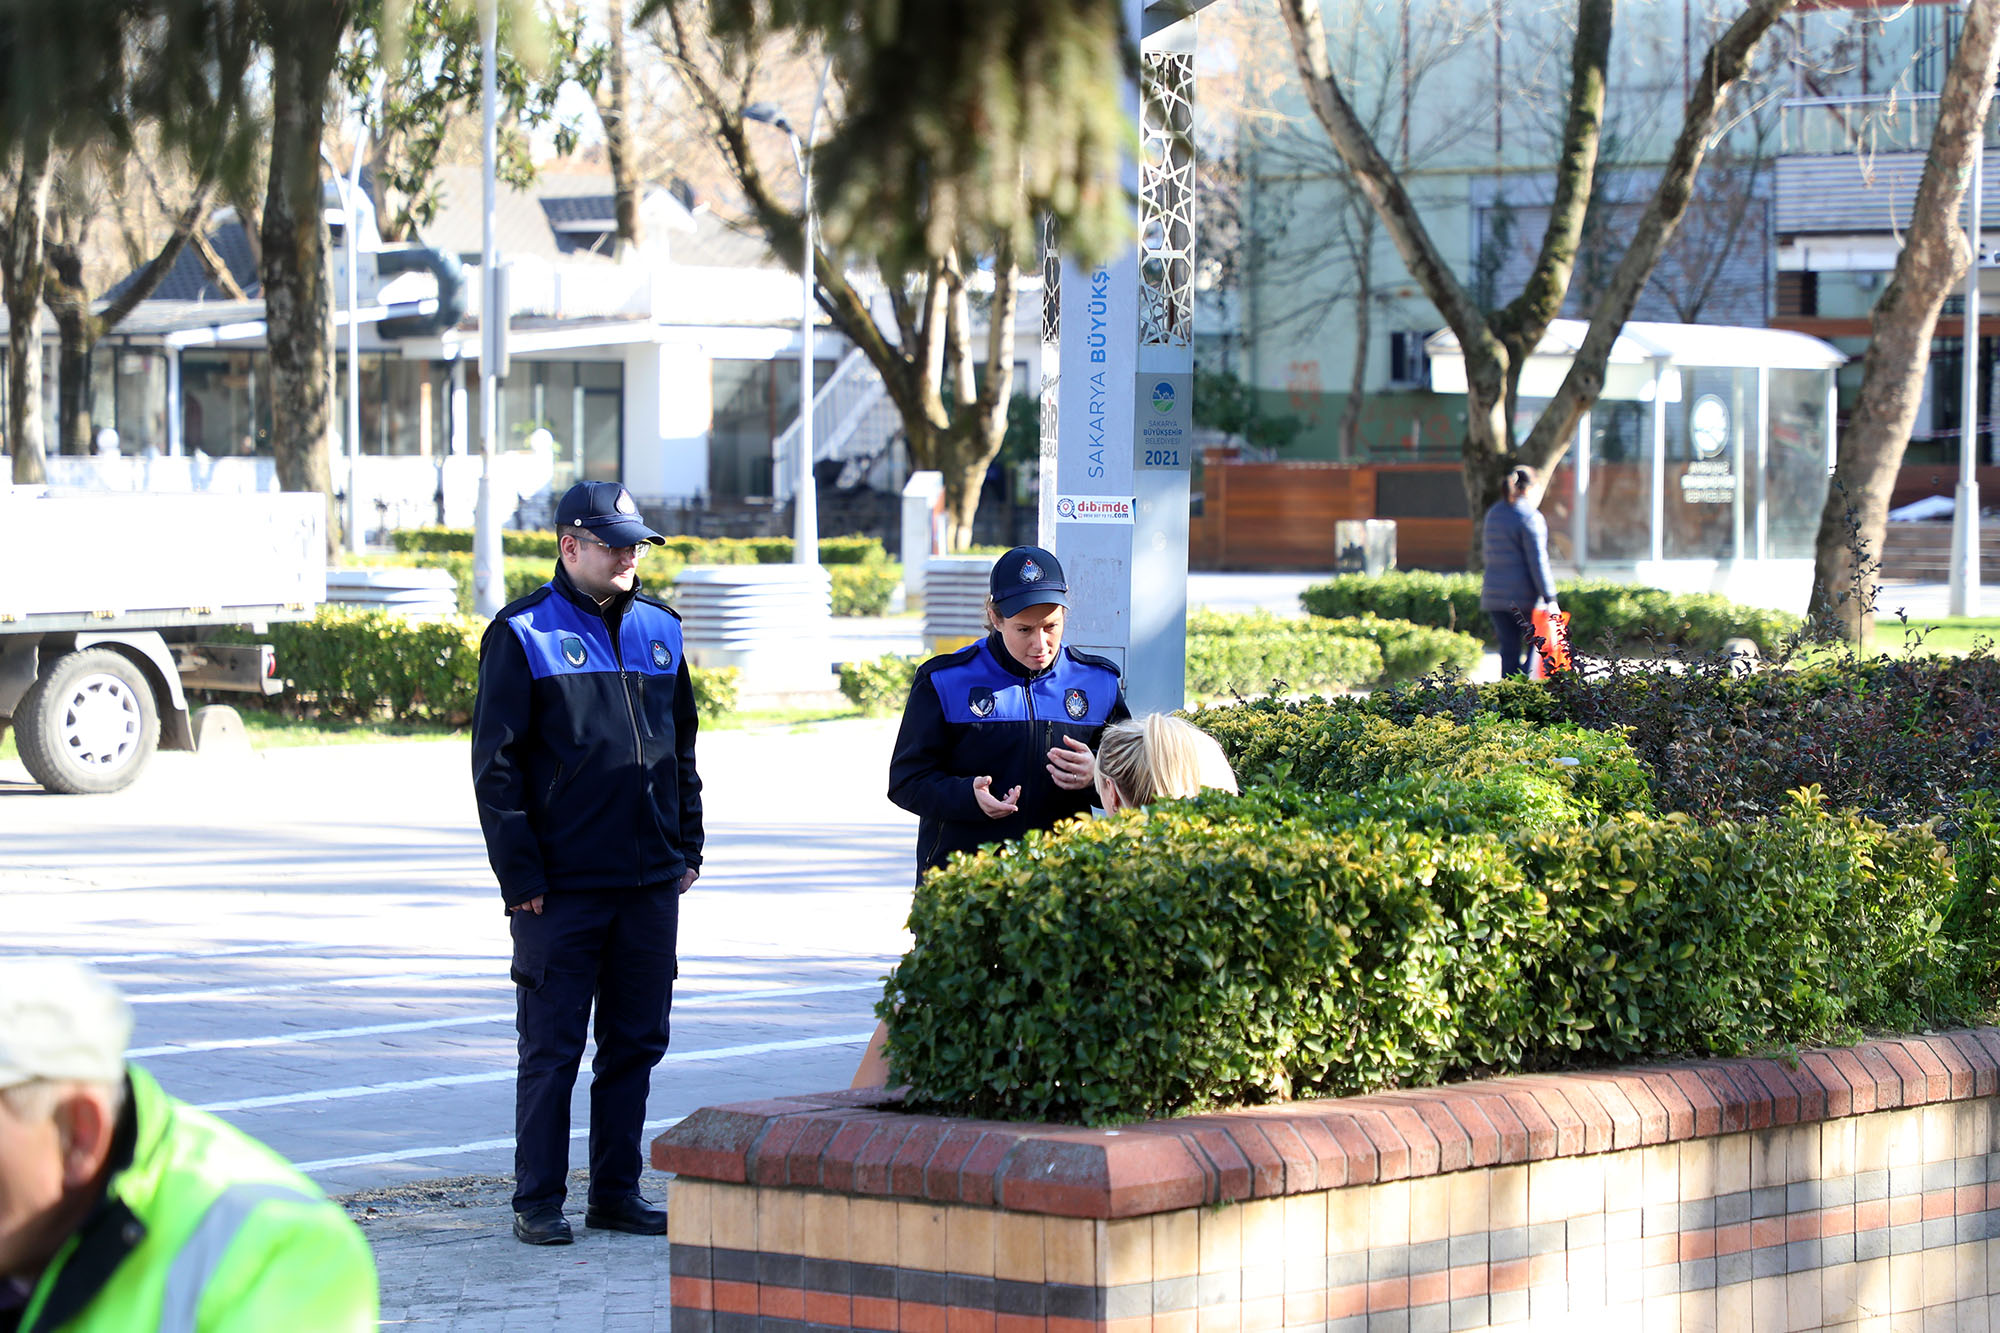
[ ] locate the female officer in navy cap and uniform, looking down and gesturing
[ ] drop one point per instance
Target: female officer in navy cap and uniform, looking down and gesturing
(997, 738)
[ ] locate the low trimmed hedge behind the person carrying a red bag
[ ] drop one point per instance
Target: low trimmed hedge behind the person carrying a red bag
(1601, 613)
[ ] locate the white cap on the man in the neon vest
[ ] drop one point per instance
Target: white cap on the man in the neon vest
(59, 1020)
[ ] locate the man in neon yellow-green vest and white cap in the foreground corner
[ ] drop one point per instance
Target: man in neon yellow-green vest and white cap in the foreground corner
(129, 1212)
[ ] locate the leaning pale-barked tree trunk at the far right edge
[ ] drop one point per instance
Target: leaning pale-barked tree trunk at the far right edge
(1933, 261)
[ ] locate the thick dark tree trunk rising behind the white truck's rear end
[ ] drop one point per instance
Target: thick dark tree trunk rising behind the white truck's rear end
(305, 39)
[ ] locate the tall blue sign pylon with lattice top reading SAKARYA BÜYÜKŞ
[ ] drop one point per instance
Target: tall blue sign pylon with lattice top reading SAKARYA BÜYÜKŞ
(1119, 391)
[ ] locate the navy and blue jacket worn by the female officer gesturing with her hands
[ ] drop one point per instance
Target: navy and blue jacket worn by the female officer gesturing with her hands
(981, 714)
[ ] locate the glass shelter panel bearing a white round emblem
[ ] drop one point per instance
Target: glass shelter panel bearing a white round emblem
(1711, 447)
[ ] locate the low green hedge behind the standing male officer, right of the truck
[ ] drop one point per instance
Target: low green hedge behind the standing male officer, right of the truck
(361, 663)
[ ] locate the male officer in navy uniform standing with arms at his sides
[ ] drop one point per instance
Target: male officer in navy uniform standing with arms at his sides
(583, 762)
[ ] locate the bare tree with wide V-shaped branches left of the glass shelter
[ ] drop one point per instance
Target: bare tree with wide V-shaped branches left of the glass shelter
(1499, 341)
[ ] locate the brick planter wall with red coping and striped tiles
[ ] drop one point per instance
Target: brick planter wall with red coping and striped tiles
(1863, 1182)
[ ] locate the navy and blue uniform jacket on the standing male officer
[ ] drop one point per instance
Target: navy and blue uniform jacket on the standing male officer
(583, 746)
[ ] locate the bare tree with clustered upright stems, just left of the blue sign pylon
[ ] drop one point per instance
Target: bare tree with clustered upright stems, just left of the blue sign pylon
(949, 391)
